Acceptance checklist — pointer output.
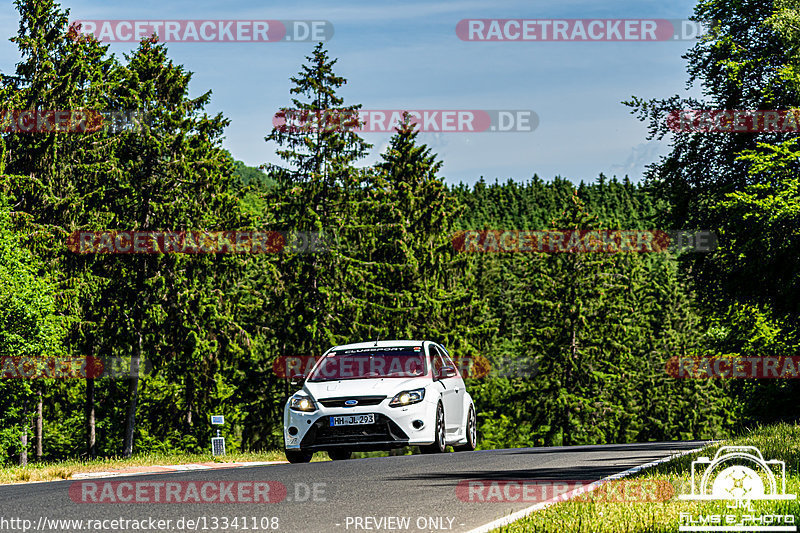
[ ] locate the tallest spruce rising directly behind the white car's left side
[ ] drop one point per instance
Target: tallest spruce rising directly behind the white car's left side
(320, 194)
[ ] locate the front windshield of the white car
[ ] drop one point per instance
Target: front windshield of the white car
(374, 362)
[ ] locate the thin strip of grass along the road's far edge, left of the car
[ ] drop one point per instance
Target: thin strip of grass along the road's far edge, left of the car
(48, 471)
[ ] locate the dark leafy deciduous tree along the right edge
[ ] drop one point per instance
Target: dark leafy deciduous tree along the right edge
(742, 186)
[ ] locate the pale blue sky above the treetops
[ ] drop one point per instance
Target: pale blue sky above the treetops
(406, 55)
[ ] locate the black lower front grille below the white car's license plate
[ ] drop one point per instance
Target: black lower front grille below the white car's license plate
(383, 430)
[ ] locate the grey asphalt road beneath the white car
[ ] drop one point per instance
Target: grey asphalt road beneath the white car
(406, 493)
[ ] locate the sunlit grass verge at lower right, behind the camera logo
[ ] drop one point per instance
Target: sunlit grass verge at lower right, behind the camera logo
(592, 515)
